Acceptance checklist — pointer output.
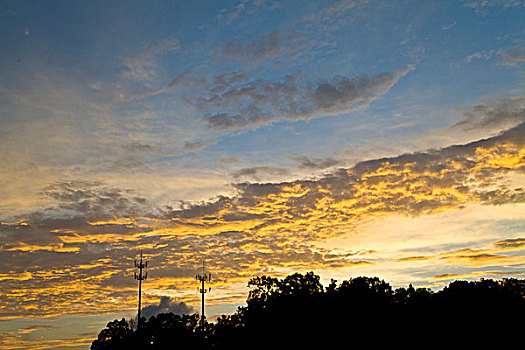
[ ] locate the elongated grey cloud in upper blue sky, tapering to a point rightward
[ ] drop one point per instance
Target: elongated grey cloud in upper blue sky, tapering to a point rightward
(233, 102)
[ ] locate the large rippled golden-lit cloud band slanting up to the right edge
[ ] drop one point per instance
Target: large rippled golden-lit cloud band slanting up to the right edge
(412, 184)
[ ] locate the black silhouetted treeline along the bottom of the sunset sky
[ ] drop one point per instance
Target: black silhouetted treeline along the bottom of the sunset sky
(298, 312)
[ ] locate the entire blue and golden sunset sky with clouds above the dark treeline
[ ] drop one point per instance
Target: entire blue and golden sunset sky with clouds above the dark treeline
(349, 138)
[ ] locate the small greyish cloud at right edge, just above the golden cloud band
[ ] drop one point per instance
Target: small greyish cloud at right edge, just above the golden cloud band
(503, 112)
